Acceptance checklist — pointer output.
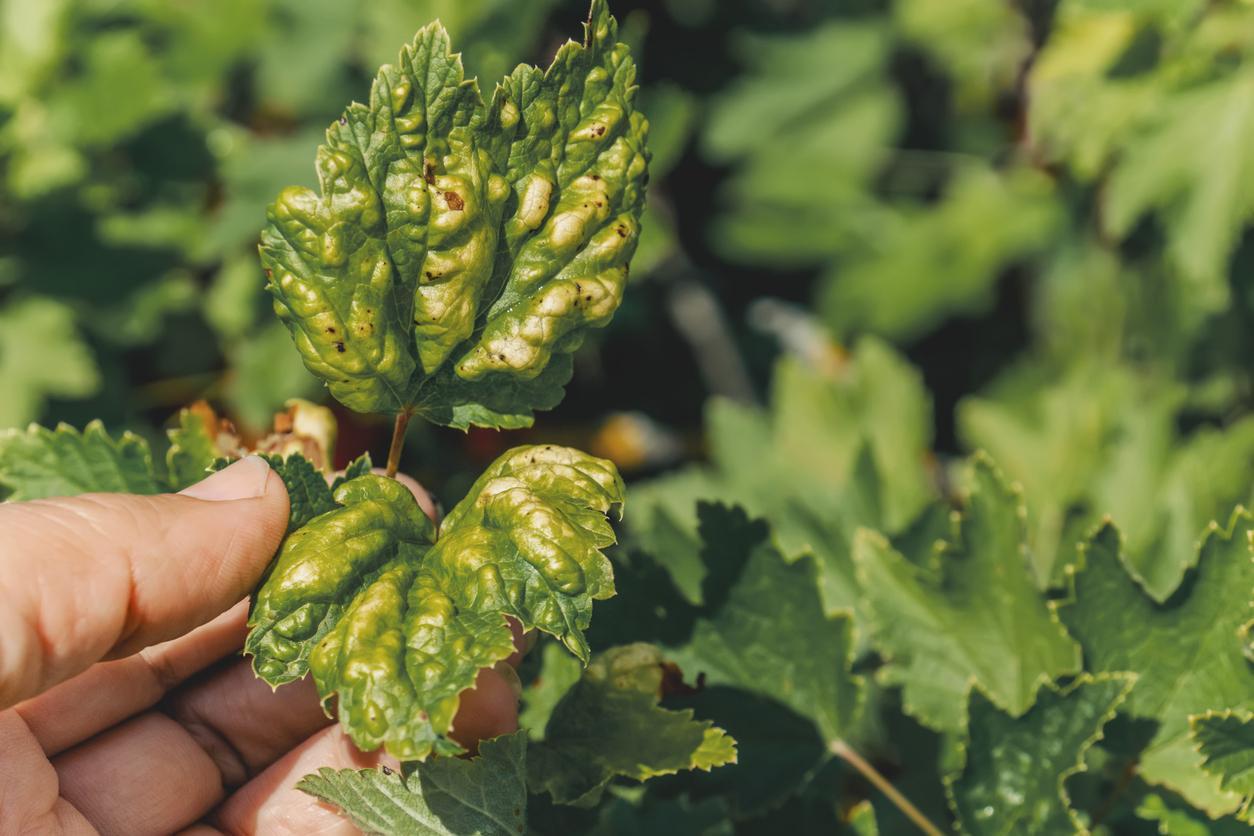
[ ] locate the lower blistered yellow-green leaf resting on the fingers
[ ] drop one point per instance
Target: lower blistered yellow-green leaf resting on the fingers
(397, 624)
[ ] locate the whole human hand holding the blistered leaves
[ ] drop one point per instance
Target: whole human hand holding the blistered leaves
(124, 705)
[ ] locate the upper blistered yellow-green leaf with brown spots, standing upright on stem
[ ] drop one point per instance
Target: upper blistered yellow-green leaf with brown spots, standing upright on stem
(458, 250)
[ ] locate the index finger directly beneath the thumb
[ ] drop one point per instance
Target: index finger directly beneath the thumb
(110, 692)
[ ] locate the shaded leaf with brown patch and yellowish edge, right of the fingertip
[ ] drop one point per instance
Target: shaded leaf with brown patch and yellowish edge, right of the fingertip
(610, 726)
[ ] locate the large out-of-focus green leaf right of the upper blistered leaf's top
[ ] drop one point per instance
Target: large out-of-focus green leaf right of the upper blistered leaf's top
(809, 126)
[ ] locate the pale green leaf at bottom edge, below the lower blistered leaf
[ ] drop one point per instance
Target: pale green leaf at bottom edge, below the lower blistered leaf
(483, 797)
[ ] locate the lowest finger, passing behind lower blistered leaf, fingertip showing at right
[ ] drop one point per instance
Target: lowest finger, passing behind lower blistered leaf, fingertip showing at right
(271, 804)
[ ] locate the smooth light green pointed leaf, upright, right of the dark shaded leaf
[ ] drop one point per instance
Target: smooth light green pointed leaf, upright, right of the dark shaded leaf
(971, 616)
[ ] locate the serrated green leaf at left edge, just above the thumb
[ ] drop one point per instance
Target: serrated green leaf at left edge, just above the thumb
(41, 463)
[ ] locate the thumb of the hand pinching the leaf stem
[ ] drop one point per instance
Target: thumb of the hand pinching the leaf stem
(108, 575)
